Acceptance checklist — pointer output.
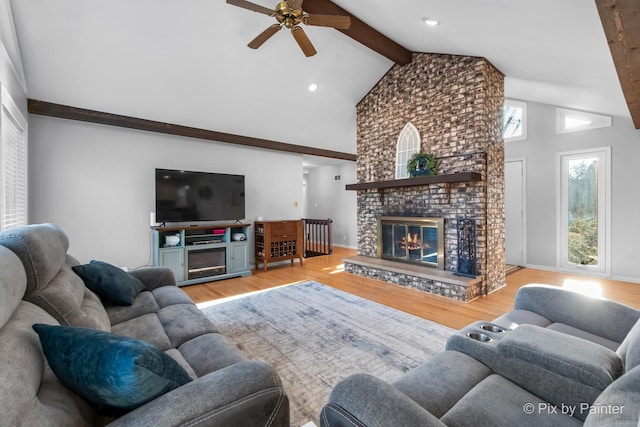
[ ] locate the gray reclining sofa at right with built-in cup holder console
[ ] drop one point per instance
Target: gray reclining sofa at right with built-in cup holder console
(558, 358)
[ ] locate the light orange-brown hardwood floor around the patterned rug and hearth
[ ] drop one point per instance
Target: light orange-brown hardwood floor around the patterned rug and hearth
(330, 271)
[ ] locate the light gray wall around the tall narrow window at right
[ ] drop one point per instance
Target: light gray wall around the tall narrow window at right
(540, 152)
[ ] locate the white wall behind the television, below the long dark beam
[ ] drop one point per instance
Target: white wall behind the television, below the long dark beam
(97, 183)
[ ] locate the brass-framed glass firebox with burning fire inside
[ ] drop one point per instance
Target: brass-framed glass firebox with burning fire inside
(412, 239)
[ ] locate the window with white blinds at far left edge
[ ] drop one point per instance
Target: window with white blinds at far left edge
(13, 161)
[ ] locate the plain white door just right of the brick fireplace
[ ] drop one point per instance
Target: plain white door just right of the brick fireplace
(514, 197)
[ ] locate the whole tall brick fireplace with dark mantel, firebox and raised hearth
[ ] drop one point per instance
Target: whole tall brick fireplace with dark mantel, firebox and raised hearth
(455, 102)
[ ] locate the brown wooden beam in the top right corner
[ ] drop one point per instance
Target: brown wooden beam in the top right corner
(621, 23)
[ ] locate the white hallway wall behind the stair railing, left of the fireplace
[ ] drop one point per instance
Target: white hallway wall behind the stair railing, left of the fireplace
(327, 198)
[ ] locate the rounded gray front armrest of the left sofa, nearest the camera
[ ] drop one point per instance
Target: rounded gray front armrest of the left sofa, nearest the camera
(246, 393)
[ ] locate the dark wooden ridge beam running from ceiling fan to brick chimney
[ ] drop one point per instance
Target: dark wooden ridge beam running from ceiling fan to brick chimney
(361, 32)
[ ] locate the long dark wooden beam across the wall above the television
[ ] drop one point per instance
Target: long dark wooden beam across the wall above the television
(92, 116)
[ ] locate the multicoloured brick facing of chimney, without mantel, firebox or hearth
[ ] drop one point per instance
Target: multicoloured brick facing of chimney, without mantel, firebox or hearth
(456, 103)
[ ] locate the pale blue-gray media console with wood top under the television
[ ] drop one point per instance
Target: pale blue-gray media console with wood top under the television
(202, 253)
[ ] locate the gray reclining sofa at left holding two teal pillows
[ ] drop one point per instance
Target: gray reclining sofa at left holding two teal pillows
(38, 285)
